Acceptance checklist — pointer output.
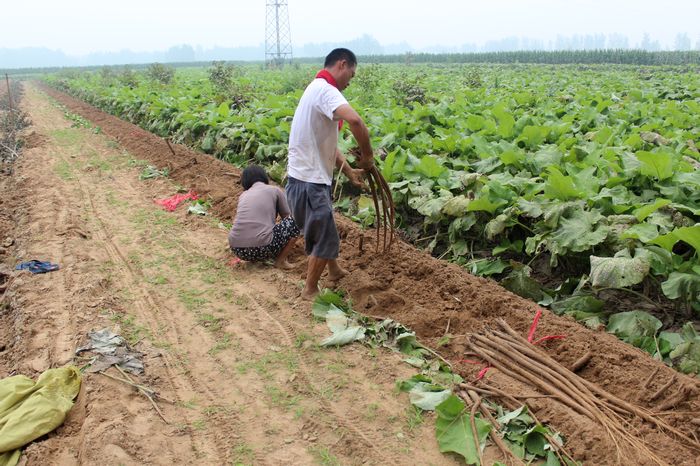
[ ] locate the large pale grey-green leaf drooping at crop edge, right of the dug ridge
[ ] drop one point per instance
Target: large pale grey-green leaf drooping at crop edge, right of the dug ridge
(620, 271)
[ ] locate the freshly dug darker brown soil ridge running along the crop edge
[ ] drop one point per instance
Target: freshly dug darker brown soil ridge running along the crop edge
(436, 298)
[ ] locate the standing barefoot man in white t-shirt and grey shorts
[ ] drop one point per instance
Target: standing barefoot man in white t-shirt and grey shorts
(313, 152)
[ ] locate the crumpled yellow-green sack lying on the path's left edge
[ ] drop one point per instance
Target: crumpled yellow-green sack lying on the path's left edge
(29, 410)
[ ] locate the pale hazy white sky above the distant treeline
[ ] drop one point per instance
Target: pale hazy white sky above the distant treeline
(79, 26)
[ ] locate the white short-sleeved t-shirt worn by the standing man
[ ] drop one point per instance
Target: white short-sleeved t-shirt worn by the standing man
(313, 139)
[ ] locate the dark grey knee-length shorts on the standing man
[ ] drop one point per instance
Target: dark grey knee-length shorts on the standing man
(312, 210)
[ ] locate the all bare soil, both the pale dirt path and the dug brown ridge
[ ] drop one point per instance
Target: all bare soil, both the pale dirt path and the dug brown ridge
(166, 271)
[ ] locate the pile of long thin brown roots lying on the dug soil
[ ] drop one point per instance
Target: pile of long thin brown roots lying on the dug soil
(505, 350)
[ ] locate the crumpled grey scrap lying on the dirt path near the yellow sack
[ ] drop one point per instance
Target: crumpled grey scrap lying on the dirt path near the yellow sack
(112, 350)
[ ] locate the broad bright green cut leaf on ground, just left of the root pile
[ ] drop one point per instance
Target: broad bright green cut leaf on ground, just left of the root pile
(454, 432)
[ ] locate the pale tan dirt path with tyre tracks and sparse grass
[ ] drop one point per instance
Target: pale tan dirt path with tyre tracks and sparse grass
(231, 348)
